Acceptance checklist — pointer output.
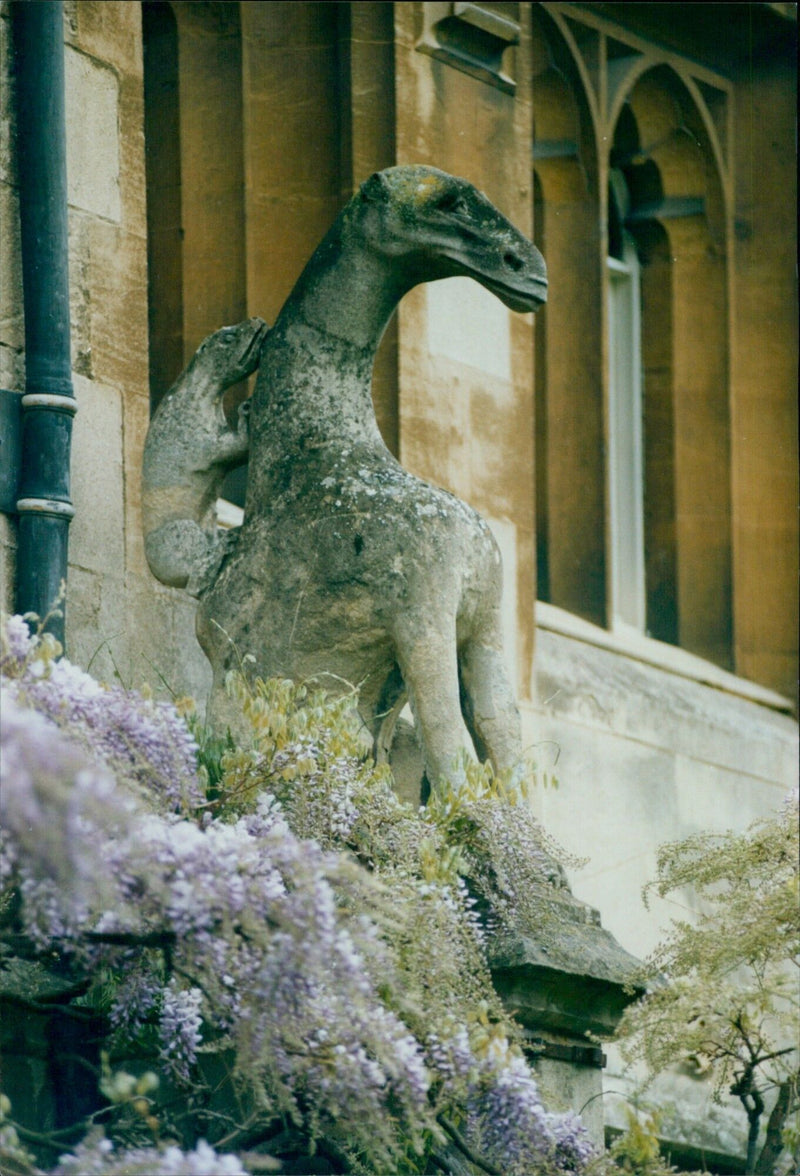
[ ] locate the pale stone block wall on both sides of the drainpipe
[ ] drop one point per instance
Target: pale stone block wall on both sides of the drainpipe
(119, 620)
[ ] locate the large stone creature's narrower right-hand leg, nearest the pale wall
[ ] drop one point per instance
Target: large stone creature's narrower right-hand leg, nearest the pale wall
(488, 698)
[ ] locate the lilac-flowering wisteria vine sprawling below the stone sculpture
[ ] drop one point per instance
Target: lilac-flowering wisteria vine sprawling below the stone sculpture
(271, 914)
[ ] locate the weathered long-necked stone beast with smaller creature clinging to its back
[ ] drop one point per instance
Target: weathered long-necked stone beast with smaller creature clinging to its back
(348, 569)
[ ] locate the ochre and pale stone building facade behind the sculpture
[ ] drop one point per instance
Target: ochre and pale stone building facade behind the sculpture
(635, 451)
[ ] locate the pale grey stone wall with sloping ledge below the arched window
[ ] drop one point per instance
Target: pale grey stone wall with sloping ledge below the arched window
(650, 745)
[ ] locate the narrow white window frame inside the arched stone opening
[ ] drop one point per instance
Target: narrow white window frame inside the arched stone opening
(626, 483)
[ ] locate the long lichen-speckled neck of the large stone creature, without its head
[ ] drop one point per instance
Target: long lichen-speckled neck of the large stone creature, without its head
(315, 380)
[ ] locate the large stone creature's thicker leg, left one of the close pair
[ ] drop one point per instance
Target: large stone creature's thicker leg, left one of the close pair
(428, 659)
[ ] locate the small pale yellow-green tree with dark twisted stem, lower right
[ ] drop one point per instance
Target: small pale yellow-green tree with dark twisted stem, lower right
(724, 995)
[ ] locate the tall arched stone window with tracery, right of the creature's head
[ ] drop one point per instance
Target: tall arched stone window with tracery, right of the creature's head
(656, 133)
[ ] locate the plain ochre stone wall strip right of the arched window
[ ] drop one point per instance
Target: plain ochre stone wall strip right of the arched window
(765, 413)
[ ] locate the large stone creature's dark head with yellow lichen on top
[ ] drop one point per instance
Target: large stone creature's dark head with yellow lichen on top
(434, 225)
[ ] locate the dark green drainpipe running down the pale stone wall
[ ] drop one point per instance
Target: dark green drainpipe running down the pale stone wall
(49, 405)
